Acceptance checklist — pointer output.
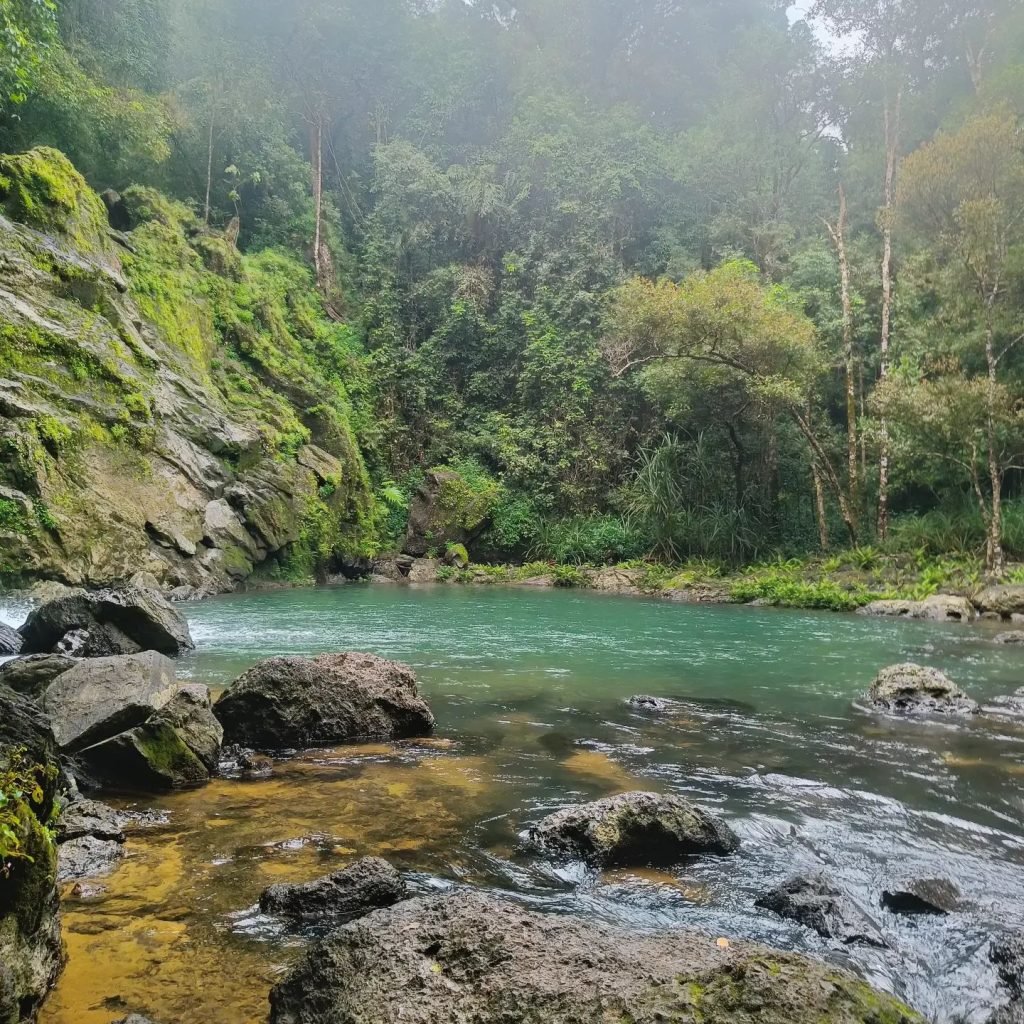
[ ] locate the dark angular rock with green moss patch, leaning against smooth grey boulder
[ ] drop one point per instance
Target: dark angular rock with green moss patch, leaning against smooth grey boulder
(178, 747)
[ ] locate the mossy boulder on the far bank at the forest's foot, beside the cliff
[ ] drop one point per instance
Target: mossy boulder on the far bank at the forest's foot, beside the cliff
(444, 511)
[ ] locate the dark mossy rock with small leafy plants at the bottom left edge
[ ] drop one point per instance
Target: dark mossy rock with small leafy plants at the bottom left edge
(31, 951)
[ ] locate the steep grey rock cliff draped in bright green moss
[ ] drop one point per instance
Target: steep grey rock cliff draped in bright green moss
(166, 404)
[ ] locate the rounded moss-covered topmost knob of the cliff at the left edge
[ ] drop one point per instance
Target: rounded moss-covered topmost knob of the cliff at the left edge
(42, 189)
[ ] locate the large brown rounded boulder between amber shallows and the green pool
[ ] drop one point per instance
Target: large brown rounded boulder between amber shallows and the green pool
(316, 702)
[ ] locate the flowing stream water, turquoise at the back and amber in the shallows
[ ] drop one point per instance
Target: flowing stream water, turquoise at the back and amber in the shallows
(530, 692)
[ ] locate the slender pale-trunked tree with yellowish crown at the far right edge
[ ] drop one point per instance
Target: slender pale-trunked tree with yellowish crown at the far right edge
(964, 195)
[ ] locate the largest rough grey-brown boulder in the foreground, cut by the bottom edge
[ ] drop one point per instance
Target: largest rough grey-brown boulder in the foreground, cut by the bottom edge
(467, 958)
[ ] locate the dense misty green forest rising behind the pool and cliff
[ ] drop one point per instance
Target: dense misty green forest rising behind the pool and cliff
(696, 279)
